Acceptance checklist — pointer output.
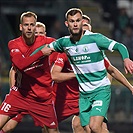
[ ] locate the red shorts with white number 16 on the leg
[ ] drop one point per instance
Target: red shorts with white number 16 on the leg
(42, 112)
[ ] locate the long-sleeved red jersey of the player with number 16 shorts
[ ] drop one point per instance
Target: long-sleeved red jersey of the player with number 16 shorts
(32, 77)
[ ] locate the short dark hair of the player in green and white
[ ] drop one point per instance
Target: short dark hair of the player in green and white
(72, 12)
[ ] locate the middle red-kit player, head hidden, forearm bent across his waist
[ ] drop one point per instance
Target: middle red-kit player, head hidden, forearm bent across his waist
(65, 92)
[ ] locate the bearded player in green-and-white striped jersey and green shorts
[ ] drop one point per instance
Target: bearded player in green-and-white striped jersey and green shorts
(84, 52)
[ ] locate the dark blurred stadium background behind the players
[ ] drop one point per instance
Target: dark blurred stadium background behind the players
(112, 18)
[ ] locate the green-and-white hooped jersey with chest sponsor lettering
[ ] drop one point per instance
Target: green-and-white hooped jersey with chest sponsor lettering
(87, 59)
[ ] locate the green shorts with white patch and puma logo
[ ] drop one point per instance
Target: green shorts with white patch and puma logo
(95, 105)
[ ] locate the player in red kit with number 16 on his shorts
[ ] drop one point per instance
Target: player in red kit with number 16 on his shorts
(32, 91)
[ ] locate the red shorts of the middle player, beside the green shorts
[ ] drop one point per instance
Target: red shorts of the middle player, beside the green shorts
(65, 109)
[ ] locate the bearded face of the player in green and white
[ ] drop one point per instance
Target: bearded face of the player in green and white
(74, 23)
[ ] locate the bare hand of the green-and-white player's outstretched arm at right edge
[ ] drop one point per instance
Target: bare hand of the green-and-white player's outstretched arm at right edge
(128, 65)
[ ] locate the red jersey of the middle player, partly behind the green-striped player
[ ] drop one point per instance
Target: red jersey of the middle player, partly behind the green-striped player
(67, 90)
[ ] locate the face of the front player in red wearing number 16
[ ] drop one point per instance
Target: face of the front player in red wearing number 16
(28, 27)
